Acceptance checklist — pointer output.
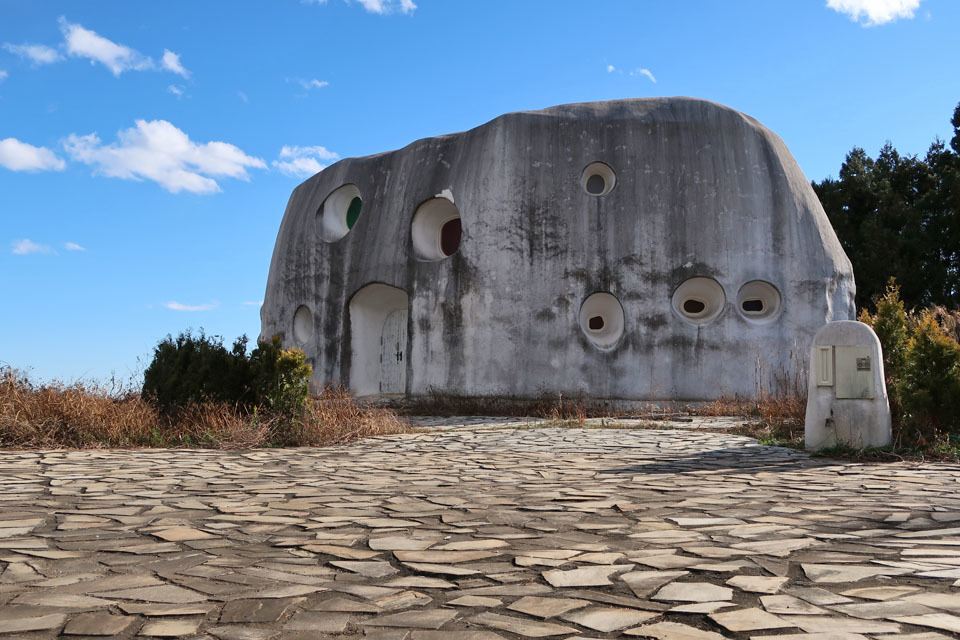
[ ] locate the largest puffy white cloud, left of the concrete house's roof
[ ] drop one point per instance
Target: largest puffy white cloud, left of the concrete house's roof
(159, 151)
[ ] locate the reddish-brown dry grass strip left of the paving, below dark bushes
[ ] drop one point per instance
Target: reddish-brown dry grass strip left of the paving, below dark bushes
(90, 415)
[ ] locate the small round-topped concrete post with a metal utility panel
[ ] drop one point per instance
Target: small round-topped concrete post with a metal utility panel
(847, 393)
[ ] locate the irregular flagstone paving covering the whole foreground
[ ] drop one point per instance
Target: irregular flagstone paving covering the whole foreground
(479, 532)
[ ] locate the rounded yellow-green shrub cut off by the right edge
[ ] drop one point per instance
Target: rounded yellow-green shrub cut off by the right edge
(929, 387)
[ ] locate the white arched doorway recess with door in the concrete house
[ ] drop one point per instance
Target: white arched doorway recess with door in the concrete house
(378, 340)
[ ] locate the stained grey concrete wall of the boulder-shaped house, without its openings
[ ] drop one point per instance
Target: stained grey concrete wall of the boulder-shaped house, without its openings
(700, 191)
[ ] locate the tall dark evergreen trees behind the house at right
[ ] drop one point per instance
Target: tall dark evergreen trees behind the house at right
(898, 216)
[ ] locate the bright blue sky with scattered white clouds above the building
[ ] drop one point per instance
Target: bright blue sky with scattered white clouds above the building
(147, 149)
